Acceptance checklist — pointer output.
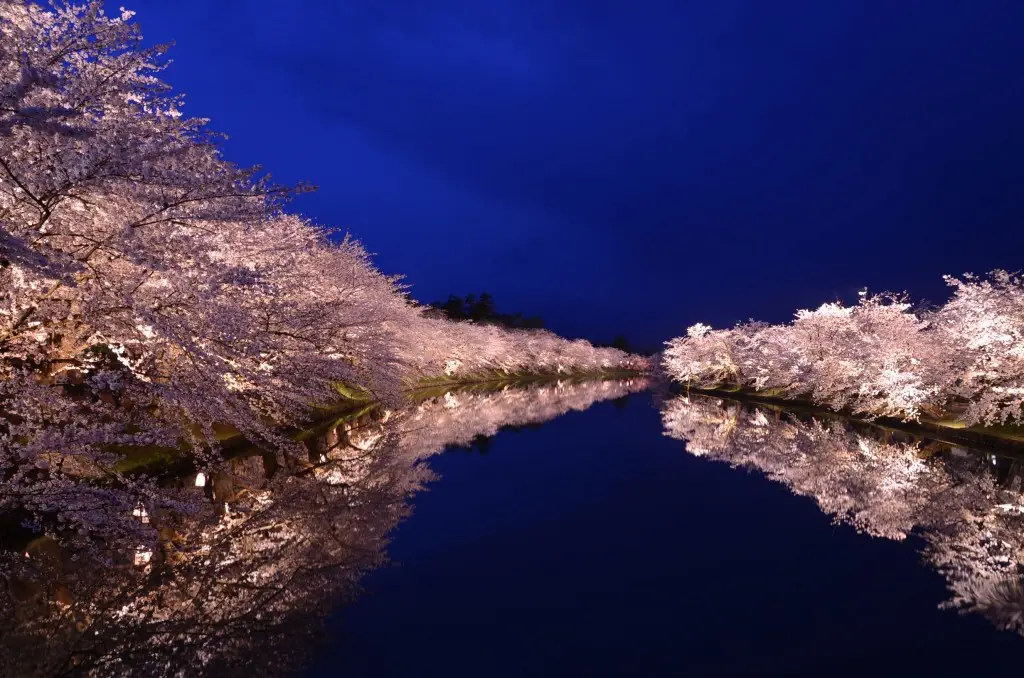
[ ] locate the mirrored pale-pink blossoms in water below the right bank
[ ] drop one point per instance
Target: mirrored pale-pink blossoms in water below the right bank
(972, 523)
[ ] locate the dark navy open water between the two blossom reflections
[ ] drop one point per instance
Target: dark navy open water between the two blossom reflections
(596, 545)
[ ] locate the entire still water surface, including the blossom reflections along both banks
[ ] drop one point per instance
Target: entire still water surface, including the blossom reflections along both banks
(557, 529)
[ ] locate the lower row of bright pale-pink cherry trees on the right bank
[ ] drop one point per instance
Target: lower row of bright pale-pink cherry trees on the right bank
(879, 358)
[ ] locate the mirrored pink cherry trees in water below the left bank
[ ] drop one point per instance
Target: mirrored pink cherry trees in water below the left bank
(204, 574)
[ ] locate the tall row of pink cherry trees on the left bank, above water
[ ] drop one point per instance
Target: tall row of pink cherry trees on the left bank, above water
(150, 289)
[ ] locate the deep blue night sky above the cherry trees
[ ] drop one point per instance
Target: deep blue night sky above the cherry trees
(630, 167)
